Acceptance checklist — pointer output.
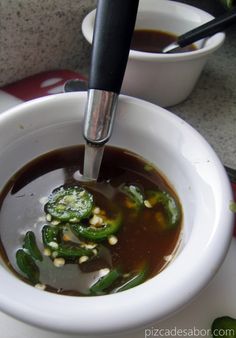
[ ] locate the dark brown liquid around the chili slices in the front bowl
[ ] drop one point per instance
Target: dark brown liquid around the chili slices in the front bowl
(140, 239)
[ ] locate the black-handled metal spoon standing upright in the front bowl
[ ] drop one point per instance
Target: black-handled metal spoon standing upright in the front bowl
(114, 25)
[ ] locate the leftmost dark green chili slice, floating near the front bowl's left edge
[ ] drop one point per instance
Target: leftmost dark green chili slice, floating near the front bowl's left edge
(28, 266)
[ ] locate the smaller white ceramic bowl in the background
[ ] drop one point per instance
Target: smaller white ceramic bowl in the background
(164, 79)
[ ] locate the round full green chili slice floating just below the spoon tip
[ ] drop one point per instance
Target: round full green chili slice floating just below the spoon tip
(70, 204)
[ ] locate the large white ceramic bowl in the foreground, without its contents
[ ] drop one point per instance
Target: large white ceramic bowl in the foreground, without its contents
(181, 154)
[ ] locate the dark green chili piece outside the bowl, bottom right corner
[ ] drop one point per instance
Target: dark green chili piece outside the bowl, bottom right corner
(224, 327)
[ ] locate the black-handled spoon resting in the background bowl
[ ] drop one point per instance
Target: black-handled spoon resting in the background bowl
(208, 29)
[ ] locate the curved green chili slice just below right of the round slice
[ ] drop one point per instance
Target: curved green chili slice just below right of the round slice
(110, 227)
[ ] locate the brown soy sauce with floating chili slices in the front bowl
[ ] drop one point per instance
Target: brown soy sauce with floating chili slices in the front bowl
(53, 254)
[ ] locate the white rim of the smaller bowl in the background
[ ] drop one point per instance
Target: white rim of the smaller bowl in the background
(213, 43)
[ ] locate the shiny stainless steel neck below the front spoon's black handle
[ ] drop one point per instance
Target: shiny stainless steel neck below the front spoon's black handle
(99, 116)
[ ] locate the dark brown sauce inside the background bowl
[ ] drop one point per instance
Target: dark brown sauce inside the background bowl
(154, 41)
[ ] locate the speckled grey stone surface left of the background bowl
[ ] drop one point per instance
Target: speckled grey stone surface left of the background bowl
(37, 36)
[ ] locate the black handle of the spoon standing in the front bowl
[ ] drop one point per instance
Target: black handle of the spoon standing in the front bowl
(114, 25)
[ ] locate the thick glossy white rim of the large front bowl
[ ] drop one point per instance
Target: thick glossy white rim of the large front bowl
(61, 313)
